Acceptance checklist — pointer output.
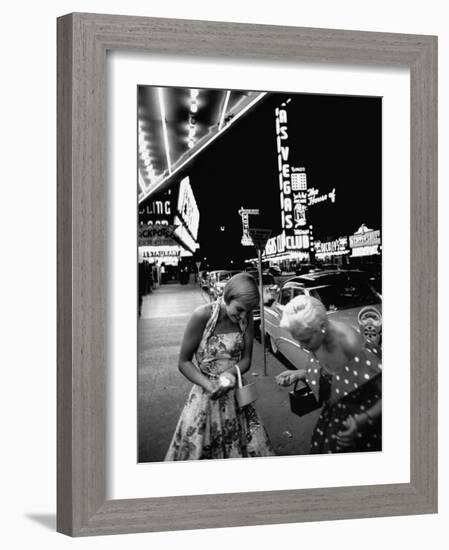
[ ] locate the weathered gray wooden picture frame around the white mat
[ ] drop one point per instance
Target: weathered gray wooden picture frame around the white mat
(83, 40)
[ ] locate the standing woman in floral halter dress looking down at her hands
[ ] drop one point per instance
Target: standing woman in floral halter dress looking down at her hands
(218, 337)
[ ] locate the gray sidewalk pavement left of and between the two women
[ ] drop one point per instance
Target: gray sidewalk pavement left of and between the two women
(162, 389)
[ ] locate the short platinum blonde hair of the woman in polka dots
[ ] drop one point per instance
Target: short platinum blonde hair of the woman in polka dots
(303, 312)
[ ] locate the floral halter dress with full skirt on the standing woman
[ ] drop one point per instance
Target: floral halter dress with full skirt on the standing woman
(208, 428)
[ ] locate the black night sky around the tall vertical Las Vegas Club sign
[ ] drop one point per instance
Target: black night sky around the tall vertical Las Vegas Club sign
(336, 138)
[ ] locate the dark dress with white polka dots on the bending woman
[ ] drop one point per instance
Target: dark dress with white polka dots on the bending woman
(352, 390)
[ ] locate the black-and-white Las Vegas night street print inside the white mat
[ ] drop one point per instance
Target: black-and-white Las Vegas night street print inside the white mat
(259, 276)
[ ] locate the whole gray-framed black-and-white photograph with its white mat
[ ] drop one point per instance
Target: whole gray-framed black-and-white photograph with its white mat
(214, 180)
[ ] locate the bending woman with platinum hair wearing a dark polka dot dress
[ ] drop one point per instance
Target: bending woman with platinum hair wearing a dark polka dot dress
(343, 372)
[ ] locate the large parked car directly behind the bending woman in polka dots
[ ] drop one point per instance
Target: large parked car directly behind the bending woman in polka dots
(344, 293)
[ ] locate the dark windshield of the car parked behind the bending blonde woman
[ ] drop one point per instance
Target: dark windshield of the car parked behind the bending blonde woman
(345, 296)
